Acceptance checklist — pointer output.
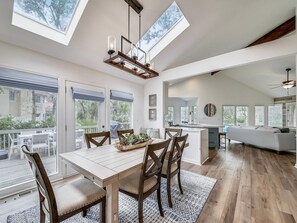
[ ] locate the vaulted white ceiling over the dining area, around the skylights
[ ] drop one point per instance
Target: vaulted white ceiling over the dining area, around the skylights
(216, 27)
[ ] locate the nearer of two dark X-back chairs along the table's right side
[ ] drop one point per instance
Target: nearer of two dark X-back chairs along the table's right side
(144, 182)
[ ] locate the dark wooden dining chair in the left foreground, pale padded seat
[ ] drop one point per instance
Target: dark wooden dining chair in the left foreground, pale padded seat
(60, 203)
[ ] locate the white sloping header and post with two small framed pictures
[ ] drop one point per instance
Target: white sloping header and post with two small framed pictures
(274, 49)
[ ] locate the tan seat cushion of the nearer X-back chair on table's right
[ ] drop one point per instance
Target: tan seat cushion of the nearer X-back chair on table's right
(131, 183)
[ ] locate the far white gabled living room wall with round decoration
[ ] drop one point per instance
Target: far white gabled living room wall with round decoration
(219, 90)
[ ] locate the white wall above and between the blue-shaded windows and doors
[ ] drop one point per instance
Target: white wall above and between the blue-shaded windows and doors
(22, 59)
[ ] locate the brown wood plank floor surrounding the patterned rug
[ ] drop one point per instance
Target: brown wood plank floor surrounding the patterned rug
(254, 185)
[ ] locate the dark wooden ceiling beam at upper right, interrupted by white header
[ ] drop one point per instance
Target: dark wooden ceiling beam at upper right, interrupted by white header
(280, 31)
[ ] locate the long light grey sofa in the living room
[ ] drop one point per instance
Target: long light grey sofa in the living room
(270, 138)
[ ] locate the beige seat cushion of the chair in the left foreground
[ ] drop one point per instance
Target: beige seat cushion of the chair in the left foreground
(75, 195)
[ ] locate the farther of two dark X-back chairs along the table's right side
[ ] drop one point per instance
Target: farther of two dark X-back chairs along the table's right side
(172, 162)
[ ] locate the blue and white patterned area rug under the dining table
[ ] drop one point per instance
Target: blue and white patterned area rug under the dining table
(186, 207)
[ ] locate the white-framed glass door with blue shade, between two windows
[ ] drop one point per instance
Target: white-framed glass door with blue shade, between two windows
(84, 113)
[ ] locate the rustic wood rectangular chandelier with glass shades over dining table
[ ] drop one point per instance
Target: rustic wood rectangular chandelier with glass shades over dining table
(136, 61)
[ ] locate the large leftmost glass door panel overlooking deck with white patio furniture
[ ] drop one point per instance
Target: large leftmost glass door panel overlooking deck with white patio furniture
(27, 117)
